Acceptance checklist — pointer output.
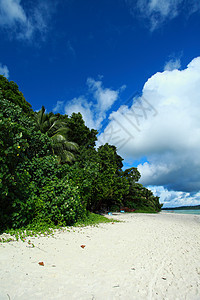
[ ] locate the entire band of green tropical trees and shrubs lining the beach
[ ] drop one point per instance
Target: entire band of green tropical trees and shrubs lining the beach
(50, 170)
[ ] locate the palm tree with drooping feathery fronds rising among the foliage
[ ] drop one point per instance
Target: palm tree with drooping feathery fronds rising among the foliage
(57, 131)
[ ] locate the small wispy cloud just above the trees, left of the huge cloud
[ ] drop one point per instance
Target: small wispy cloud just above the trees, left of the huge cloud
(95, 106)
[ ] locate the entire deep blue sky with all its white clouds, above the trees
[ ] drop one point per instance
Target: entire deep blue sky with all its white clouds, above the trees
(131, 67)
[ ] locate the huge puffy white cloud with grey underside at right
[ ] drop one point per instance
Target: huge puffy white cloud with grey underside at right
(164, 126)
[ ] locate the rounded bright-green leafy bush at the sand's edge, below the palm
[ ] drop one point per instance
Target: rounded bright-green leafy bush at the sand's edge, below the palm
(58, 202)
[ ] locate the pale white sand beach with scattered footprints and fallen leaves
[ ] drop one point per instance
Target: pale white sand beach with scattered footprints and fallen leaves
(145, 257)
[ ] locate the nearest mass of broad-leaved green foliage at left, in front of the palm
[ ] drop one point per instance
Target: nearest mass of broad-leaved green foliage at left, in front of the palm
(33, 185)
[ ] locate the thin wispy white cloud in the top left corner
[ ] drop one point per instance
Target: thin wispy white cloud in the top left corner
(23, 24)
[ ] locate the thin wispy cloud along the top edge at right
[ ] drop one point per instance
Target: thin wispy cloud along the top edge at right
(159, 11)
